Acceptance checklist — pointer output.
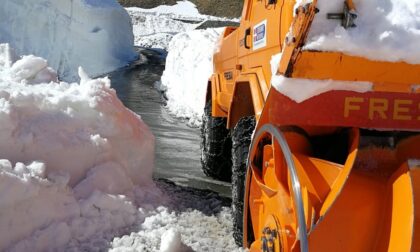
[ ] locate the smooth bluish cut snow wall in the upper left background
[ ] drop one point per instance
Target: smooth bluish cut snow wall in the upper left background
(96, 35)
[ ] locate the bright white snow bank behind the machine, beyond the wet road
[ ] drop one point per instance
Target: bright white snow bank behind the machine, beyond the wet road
(188, 67)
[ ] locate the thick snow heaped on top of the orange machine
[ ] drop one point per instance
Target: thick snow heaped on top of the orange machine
(386, 30)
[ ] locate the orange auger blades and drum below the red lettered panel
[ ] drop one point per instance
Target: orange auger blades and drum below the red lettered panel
(347, 207)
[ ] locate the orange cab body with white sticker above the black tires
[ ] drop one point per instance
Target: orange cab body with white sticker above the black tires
(235, 63)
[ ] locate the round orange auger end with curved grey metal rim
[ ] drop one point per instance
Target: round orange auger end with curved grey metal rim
(287, 199)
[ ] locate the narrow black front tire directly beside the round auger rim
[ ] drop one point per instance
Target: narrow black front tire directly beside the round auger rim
(241, 140)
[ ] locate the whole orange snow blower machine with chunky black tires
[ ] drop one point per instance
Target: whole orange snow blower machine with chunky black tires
(337, 170)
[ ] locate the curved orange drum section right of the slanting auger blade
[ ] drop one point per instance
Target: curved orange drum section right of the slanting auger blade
(371, 214)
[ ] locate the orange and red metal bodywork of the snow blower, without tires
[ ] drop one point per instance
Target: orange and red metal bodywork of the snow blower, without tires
(347, 206)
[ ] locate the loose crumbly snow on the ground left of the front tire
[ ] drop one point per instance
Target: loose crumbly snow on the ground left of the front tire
(191, 220)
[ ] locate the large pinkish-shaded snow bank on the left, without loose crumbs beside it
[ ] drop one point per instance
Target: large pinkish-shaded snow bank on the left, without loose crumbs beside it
(71, 156)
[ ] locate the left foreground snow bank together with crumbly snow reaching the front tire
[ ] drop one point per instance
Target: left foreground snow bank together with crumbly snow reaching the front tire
(76, 167)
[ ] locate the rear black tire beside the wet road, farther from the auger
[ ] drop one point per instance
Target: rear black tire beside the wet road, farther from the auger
(216, 146)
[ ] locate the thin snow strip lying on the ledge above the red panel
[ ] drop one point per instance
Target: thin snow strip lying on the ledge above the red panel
(300, 90)
